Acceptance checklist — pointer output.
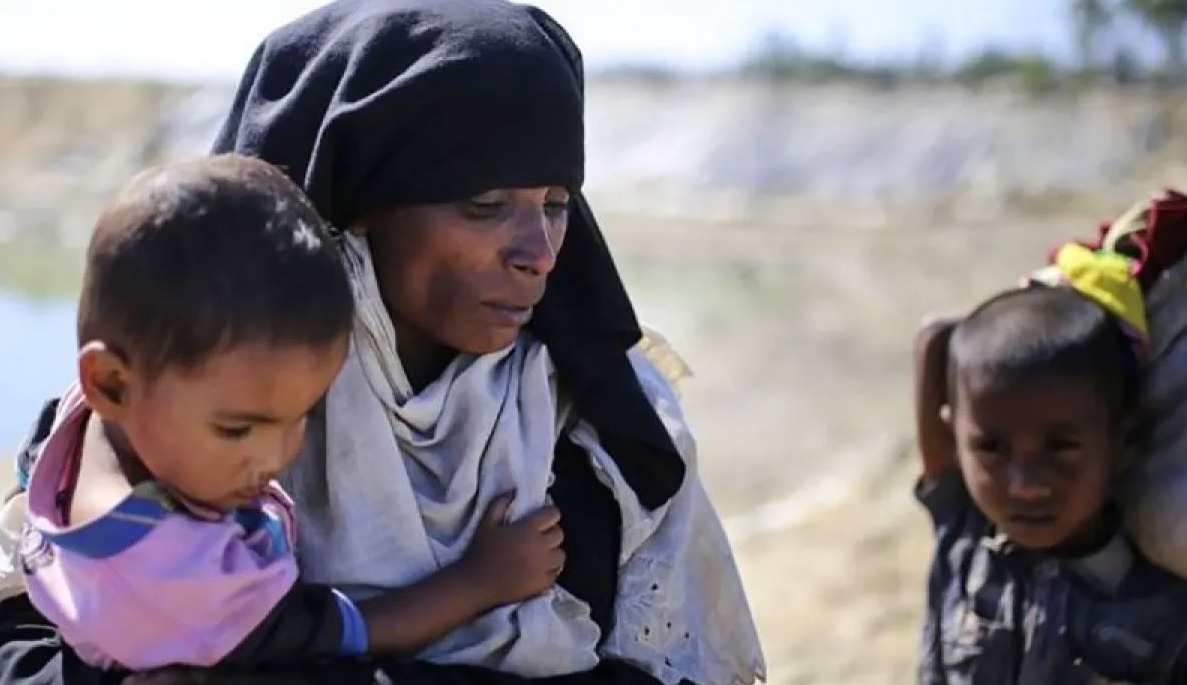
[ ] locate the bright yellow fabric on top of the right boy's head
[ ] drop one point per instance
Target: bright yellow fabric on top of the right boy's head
(1107, 278)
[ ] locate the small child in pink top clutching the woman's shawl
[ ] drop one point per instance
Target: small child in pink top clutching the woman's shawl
(215, 314)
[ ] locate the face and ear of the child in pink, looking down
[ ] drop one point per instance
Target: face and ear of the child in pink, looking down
(220, 433)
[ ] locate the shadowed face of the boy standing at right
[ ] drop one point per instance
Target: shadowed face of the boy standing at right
(1038, 456)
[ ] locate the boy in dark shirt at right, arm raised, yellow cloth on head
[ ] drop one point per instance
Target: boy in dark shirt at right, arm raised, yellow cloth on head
(1024, 422)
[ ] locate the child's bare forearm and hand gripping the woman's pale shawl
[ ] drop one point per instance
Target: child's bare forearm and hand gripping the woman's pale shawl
(506, 563)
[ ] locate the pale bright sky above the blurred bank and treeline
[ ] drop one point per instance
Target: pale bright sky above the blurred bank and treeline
(212, 39)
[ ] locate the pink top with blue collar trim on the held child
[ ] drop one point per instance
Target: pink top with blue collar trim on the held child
(153, 582)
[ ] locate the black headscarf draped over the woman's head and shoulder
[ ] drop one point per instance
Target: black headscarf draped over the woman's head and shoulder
(372, 105)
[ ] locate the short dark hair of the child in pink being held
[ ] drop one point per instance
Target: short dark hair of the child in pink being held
(196, 257)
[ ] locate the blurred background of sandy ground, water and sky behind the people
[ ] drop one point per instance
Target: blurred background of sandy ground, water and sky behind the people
(789, 186)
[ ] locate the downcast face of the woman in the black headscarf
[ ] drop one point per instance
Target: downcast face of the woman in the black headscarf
(466, 276)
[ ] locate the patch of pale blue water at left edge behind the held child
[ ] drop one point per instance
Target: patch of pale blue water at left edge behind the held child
(37, 360)
